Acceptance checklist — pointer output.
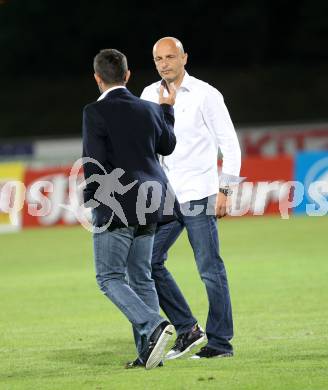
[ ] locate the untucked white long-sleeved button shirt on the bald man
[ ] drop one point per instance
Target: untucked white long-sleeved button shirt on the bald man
(202, 126)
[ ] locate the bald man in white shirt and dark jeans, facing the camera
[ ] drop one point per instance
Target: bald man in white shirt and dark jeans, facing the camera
(202, 126)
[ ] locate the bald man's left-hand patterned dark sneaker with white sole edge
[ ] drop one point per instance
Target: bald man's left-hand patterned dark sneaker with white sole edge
(186, 341)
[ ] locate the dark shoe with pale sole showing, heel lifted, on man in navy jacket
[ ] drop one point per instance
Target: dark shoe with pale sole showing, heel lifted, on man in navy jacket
(156, 345)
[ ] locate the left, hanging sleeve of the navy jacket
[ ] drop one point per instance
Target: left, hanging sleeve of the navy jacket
(94, 147)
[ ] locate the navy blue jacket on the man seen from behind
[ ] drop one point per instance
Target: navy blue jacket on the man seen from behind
(124, 132)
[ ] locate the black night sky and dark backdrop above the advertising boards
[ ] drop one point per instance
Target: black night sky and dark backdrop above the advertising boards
(268, 58)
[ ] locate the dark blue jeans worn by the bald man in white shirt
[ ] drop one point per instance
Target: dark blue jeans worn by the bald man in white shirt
(203, 237)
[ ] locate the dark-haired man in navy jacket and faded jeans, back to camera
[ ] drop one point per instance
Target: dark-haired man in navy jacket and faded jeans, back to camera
(126, 188)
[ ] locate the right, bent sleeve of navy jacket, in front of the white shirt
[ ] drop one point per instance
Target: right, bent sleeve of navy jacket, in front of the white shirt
(167, 140)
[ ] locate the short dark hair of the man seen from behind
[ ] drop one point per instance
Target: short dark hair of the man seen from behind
(111, 66)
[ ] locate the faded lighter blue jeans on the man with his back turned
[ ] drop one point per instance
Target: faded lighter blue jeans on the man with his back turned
(123, 273)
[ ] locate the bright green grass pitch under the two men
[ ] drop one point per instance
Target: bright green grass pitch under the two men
(57, 331)
